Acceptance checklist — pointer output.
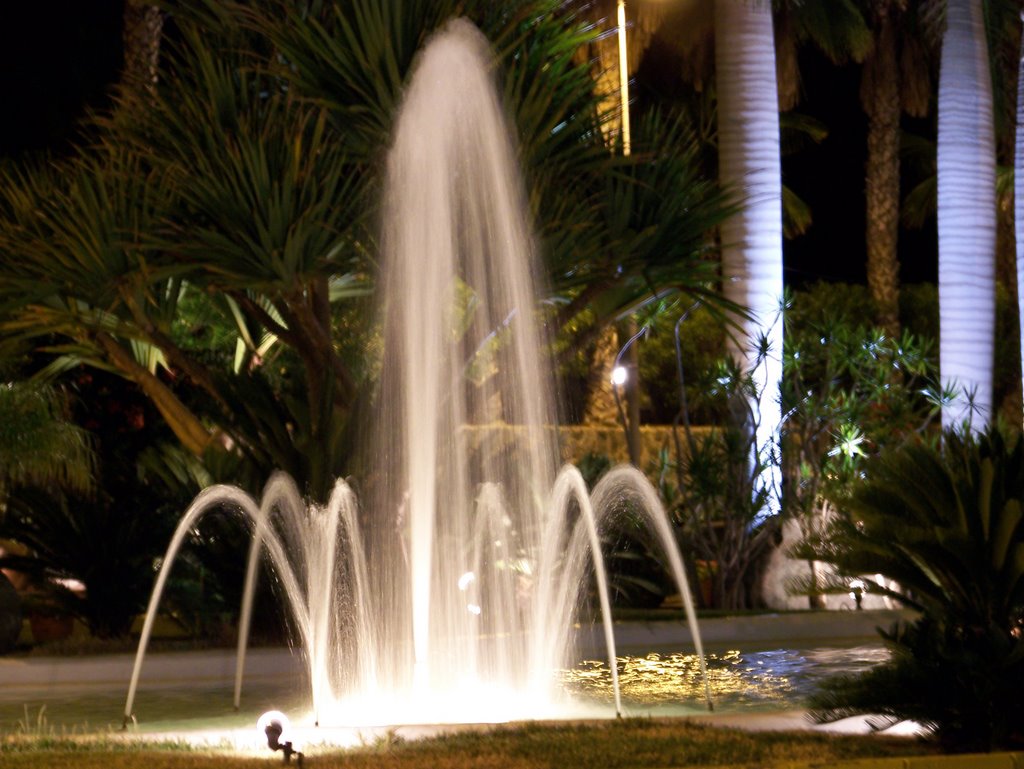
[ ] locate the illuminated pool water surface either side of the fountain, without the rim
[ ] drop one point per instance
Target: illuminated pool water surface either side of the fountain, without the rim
(657, 685)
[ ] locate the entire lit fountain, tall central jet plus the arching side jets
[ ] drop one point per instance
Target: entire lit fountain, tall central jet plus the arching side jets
(457, 604)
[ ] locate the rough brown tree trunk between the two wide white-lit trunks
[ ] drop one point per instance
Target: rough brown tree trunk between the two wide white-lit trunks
(880, 97)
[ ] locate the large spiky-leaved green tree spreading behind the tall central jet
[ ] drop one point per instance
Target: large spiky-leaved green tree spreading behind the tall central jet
(246, 185)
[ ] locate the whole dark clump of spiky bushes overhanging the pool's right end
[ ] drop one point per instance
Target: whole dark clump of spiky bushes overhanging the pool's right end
(946, 523)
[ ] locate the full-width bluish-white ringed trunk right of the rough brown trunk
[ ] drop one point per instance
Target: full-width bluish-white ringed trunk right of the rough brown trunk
(967, 218)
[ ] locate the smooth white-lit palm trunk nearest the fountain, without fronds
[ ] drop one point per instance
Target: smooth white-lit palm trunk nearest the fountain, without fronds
(752, 241)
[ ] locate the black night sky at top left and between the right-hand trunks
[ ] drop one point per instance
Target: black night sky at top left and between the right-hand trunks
(59, 57)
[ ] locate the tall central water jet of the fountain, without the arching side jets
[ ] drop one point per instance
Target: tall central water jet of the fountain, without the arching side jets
(462, 349)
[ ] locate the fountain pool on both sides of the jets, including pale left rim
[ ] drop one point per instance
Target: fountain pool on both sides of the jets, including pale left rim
(661, 683)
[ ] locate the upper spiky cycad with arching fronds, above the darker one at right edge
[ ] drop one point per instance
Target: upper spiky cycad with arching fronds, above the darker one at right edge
(946, 524)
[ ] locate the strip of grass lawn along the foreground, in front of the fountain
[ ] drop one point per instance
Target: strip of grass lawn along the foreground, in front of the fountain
(632, 743)
